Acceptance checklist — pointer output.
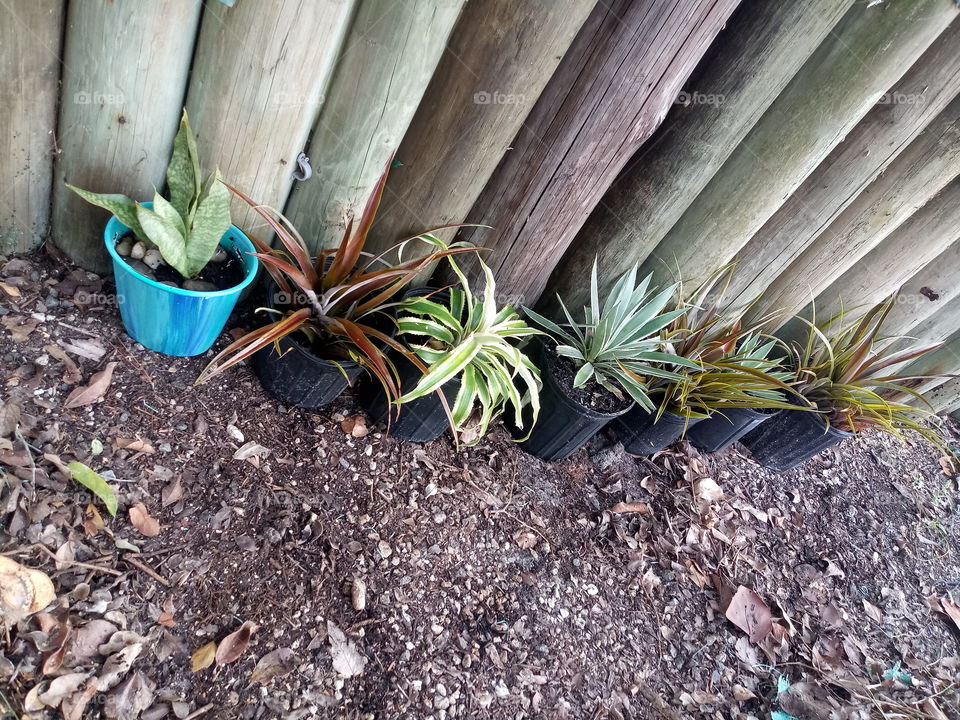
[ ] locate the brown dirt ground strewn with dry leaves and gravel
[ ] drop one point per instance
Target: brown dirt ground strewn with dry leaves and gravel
(389, 580)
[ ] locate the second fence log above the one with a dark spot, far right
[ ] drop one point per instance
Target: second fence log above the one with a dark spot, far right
(925, 167)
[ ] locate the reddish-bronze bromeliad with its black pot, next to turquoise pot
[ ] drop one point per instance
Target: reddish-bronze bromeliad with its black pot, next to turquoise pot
(333, 311)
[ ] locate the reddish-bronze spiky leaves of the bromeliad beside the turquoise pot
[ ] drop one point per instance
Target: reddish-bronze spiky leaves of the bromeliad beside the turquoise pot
(340, 299)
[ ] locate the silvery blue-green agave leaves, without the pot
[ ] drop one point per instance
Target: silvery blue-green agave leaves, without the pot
(618, 344)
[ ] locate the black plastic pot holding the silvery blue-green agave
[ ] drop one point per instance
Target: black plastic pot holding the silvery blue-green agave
(564, 425)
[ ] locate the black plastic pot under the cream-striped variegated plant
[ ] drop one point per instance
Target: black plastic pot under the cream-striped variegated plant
(420, 420)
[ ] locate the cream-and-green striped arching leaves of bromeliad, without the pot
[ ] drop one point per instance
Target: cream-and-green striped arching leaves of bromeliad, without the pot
(471, 339)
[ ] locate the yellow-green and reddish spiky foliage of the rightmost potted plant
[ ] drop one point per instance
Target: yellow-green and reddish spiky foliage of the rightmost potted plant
(847, 371)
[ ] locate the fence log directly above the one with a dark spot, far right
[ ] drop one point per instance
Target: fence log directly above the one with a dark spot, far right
(902, 254)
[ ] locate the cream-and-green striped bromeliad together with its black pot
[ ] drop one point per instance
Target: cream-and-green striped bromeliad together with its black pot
(463, 368)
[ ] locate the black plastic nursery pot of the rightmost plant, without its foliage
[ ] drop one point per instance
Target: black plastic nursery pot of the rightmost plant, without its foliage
(790, 438)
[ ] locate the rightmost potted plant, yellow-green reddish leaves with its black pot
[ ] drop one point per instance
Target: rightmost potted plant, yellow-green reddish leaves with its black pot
(846, 373)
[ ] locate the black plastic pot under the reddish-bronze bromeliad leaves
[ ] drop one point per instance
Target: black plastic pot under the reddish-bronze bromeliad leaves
(300, 378)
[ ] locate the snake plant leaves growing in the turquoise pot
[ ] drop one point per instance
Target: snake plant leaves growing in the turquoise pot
(187, 228)
